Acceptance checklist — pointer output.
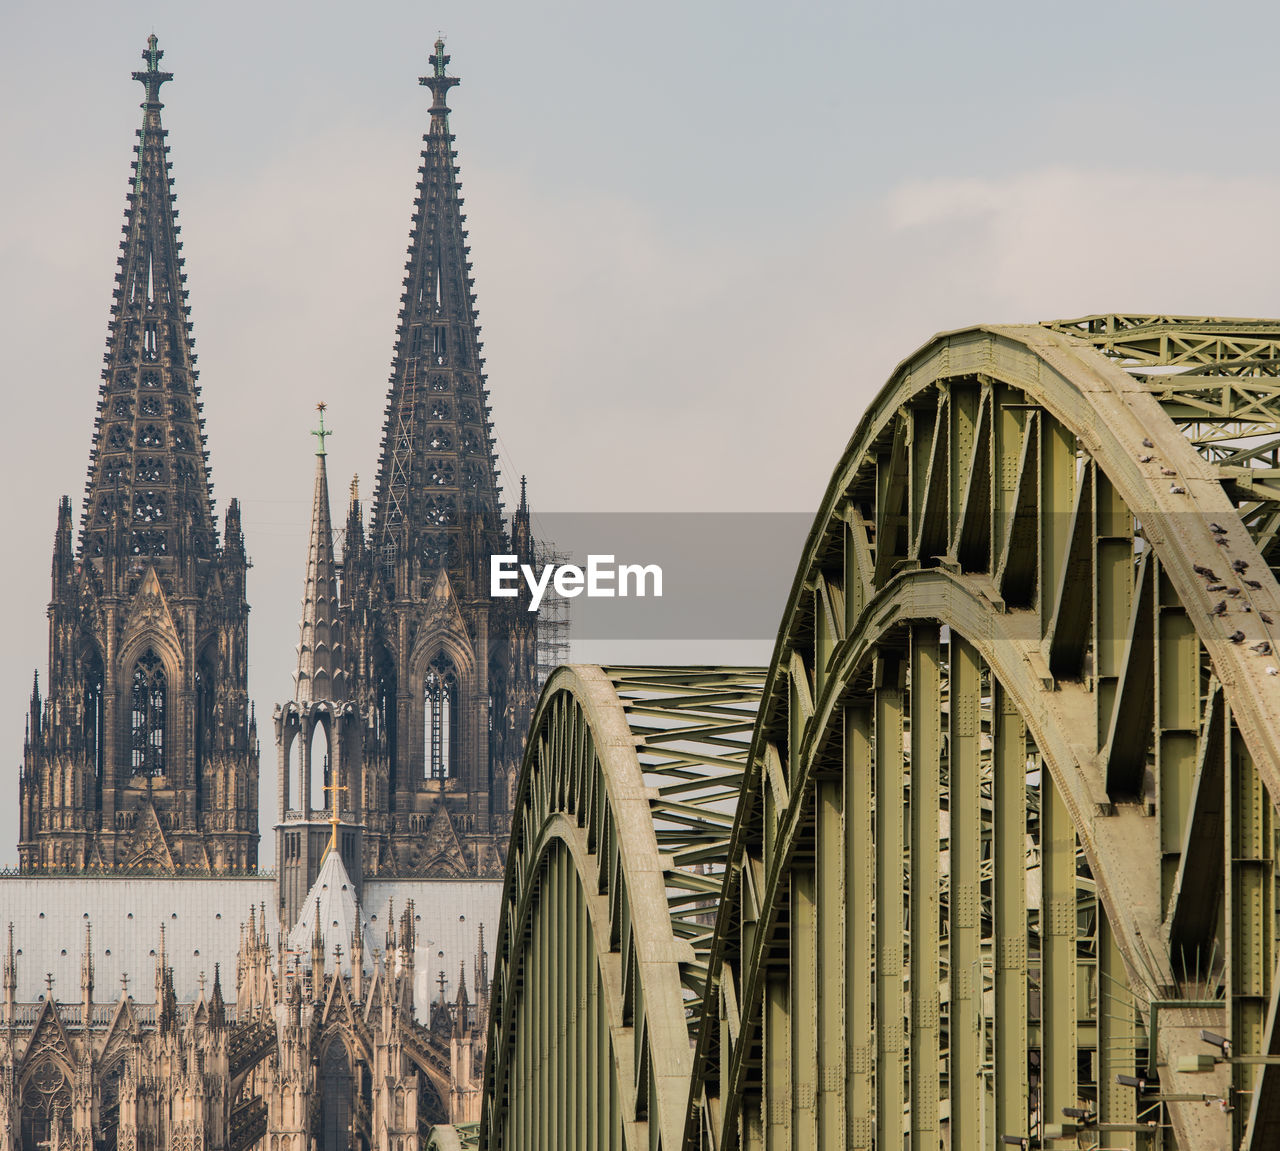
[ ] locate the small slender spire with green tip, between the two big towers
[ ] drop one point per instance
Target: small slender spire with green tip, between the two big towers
(321, 674)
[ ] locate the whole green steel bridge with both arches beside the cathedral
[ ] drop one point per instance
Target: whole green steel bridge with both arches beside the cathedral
(991, 842)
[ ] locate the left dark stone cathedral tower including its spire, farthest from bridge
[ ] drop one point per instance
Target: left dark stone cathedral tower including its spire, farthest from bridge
(143, 755)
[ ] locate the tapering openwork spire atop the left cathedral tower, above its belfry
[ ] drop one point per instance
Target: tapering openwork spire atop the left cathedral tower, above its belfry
(149, 481)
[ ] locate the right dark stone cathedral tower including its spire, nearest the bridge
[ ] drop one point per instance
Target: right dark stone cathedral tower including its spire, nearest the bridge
(445, 675)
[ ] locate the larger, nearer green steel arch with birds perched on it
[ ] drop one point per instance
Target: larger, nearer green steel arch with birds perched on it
(1023, 510)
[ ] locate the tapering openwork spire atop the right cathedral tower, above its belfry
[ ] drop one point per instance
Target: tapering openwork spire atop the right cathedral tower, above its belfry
(437, 473)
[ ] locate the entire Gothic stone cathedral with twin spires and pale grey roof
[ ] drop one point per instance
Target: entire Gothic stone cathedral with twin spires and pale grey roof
(339, 1002)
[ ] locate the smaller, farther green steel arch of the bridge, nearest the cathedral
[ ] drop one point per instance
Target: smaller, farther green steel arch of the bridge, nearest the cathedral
(620, 835)
